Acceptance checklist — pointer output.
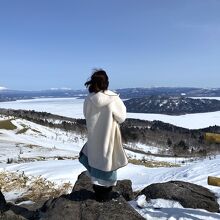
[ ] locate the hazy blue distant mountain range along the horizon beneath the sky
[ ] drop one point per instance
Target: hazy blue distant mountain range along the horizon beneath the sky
(11, 95)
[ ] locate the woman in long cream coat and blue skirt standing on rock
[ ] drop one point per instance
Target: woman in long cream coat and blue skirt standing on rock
(103, 153)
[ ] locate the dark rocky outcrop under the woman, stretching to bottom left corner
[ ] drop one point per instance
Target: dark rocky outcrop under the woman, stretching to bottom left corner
(79, 204)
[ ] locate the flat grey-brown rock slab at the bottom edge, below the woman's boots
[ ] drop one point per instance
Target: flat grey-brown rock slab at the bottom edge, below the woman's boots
(66, 208)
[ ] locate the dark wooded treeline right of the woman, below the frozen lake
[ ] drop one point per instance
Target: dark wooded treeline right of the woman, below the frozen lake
(171, 139)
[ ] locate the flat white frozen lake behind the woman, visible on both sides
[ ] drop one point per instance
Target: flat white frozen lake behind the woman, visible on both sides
(72, 107)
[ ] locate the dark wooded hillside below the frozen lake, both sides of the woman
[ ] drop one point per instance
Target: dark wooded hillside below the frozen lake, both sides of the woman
(167, 138)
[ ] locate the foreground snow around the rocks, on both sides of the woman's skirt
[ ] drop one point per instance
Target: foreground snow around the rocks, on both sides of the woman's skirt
(68, 170)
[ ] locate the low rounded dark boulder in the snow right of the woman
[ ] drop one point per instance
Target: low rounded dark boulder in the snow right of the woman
(187, 194)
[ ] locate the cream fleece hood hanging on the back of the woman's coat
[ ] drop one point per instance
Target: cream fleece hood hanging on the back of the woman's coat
(101, 99)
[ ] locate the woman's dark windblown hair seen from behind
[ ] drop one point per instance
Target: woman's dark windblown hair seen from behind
(98, 81)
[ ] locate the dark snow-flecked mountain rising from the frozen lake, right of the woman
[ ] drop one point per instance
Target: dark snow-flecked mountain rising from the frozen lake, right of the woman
(171, 105)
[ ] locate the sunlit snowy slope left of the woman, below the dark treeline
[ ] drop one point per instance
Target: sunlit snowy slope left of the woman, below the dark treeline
(37, 142)
